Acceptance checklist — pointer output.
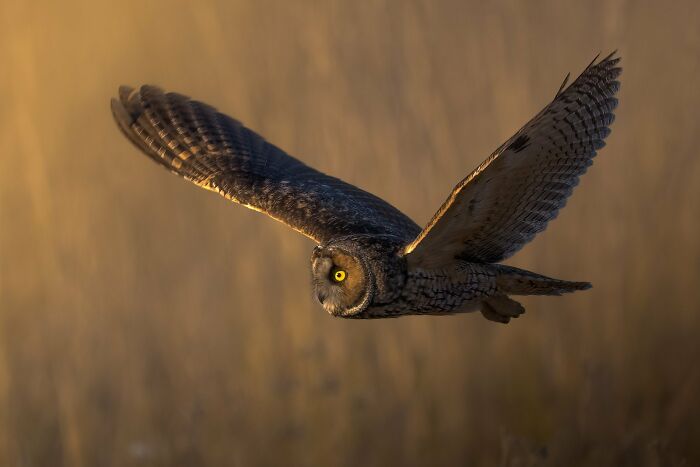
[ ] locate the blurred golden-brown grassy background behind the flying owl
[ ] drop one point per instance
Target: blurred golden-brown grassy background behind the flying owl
(144, 321)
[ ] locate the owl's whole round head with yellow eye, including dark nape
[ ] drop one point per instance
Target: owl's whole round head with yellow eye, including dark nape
(353, 273)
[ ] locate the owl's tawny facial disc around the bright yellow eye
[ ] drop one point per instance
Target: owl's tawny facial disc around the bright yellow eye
(341, 282)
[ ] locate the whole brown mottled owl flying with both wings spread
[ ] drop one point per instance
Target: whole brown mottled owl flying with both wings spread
(372, 261)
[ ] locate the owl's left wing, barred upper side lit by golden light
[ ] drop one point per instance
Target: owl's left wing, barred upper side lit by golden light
(218, 153)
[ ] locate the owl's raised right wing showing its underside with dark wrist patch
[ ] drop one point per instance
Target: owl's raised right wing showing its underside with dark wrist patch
(522, 186)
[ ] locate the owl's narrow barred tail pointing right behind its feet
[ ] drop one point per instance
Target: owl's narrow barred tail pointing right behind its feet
(514, 281)
